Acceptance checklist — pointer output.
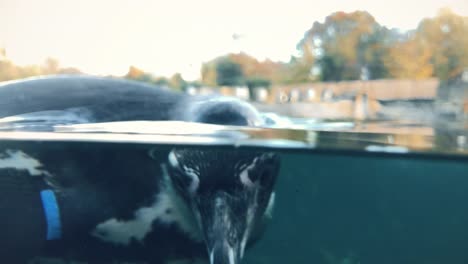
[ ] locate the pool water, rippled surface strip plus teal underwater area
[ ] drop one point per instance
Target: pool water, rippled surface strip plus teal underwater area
(342, 197)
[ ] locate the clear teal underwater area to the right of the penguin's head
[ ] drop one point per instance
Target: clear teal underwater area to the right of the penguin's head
(338, 208)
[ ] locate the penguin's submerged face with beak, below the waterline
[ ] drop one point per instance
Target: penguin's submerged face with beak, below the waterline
(228, 193)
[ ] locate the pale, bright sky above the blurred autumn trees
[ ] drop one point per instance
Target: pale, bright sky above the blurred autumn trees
(163, 37)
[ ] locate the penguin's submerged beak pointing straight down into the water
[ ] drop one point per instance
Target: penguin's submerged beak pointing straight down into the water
(223, 229)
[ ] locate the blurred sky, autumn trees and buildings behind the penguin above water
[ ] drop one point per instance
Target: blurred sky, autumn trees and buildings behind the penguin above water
(295, 60)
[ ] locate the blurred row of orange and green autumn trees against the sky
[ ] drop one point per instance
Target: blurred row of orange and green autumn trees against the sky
(345, 46)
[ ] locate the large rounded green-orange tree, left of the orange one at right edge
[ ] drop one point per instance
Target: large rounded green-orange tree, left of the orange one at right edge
(345, 45)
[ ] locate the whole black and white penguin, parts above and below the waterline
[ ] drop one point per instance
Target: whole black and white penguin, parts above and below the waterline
(114, 204)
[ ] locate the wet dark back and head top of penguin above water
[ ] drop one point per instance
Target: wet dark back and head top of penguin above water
(87, 99)
